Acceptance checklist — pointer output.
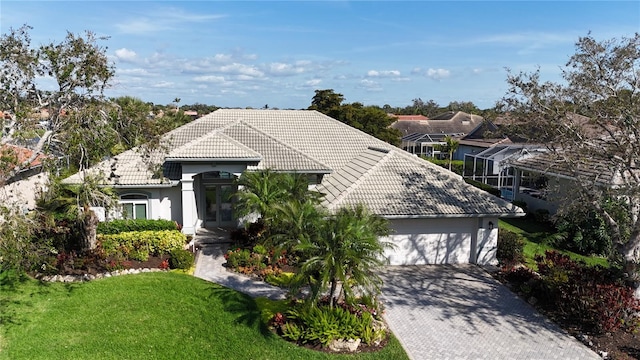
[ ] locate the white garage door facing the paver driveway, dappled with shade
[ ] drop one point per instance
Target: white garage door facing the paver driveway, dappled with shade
(431, 241)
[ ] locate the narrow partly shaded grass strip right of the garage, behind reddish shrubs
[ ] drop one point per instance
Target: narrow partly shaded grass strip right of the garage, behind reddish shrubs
(534, 235)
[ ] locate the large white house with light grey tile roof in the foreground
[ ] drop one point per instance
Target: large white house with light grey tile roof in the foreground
(435, 216)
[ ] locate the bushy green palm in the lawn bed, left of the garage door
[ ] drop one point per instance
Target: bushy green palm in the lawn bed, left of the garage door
(347, 251)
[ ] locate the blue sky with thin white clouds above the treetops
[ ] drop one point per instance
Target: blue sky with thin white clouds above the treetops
(243, 53)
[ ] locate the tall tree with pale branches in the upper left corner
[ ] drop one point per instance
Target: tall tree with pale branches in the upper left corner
(81, 71)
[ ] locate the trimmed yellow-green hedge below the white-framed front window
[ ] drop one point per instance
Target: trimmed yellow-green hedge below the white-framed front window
(137, 243)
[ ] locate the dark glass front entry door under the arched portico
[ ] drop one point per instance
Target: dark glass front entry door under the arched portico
(219, 211)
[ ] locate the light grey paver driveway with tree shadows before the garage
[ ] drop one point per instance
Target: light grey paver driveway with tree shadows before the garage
(461, 312)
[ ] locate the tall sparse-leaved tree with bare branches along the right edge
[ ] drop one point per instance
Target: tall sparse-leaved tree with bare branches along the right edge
(591, 121)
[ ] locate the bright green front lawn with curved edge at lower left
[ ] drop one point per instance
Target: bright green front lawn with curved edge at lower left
(144, 316)
